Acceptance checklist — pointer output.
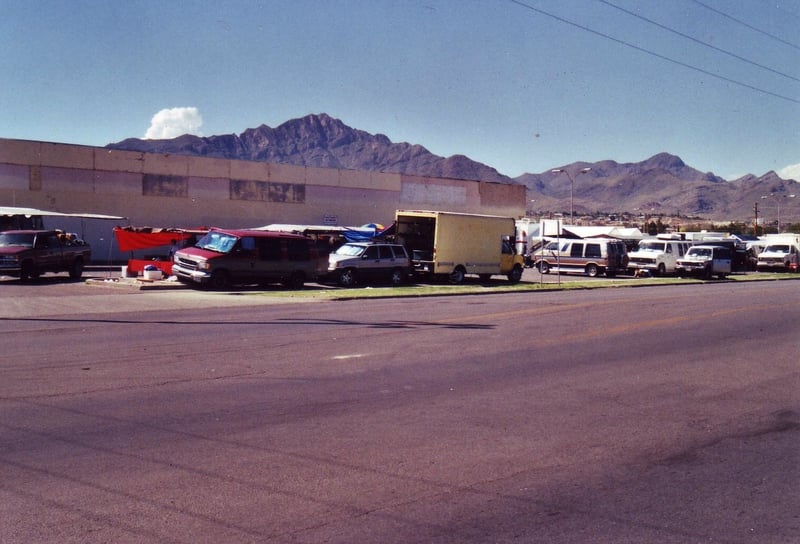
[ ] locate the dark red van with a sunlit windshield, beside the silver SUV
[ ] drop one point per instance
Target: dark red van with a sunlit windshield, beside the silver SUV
(226, 257)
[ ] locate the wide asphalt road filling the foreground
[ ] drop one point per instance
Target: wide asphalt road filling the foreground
(654, 414)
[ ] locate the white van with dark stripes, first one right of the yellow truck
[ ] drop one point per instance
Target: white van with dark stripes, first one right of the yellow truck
(592, 257)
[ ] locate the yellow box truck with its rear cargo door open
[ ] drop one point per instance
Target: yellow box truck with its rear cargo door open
(451, 245)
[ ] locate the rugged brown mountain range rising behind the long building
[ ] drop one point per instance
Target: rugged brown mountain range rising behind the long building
(660, 185)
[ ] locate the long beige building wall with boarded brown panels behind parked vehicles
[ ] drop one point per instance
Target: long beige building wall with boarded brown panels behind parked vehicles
(183, 191)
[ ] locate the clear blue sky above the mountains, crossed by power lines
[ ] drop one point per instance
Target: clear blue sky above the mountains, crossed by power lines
(522, 86)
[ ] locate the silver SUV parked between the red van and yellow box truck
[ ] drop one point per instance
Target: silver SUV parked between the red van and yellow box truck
(358, 262)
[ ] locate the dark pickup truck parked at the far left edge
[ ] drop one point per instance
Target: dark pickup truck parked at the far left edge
(27, 254)
